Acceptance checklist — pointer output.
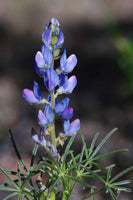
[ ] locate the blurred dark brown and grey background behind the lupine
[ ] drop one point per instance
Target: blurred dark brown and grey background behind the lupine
(100, 33)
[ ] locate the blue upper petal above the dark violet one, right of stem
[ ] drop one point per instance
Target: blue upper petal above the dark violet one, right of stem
(61, 106)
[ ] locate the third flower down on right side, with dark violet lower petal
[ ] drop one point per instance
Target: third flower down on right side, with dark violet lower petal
(61, 108)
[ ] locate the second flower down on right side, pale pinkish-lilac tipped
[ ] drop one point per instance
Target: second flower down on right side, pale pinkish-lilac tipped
(68, 86)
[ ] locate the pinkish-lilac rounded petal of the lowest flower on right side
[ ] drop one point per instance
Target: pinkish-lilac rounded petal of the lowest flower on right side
(73, 128)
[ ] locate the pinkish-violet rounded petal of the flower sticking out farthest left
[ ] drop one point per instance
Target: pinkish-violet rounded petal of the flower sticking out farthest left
(29, 96)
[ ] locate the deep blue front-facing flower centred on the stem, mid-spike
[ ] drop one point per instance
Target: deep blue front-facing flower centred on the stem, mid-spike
(51, 79)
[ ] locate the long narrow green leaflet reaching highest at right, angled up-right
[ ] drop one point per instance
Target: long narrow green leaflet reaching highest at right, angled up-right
(102, 143)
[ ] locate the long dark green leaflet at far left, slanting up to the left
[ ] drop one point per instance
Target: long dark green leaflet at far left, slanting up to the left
(17, 152)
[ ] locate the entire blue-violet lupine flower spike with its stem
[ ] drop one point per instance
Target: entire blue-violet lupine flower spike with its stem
(57, 82)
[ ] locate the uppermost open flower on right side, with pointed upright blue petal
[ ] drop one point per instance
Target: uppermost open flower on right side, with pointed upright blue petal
(67, 64)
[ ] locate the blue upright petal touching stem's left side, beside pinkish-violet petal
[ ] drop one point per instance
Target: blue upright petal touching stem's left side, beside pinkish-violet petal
(49, 113)
